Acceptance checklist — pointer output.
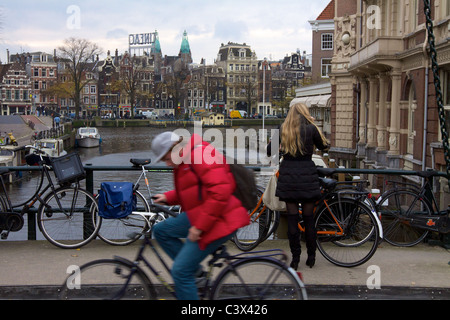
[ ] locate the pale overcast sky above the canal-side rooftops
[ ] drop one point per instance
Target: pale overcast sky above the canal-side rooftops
(273, 28)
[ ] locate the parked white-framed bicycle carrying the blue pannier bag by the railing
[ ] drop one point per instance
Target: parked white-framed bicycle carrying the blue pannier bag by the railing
(117, 231)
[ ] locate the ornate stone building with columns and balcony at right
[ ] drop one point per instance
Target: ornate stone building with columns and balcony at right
(384, 108)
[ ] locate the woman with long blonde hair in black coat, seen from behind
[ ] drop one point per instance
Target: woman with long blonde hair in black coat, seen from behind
(298, 181)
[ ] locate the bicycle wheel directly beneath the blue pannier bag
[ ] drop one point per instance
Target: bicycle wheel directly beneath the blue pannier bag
(121, 232)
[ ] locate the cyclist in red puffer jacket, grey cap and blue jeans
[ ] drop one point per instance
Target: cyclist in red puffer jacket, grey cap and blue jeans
(203, 187)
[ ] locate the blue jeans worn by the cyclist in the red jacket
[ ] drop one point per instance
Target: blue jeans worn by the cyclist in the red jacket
(186, 255)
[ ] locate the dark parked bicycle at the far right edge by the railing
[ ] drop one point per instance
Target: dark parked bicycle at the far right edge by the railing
(409, 213)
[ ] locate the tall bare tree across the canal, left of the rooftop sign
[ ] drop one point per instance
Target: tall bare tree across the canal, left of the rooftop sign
(76, 54)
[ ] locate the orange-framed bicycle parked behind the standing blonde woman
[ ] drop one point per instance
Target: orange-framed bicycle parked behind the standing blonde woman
(348, 228)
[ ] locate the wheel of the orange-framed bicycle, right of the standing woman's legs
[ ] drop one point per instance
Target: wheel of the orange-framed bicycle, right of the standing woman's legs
(347, 232)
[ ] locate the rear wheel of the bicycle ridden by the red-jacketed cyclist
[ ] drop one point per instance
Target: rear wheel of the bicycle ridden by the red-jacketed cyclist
(258, 279)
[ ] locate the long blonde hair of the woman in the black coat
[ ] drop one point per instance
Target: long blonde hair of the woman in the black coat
(291, 141)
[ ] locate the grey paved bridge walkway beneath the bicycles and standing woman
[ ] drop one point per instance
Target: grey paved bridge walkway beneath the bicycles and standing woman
(419, 272)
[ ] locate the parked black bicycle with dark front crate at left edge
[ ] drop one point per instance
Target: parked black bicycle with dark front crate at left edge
(67, 215)
